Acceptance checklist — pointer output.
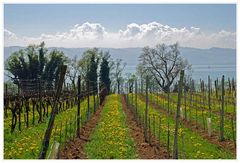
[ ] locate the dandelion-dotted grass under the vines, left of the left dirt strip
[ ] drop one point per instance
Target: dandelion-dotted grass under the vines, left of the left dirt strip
(27, 144)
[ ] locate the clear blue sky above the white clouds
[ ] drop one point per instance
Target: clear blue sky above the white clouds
(34, 20)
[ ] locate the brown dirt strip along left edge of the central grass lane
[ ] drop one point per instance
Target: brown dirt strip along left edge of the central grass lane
(75, 149)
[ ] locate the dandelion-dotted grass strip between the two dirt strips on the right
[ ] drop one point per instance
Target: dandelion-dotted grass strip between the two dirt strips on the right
(193, 145)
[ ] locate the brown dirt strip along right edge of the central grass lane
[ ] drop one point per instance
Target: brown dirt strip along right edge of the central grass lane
(145, 150)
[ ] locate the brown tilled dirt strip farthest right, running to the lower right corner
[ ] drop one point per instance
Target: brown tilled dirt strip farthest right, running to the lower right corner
(227, 144)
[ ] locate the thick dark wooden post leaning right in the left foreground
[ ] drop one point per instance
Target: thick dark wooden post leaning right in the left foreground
(48, 132)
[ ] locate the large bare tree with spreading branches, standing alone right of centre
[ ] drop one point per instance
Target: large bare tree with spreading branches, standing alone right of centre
(164, 63)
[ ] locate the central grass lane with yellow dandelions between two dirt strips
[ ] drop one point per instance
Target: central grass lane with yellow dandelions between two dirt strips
(111, 139)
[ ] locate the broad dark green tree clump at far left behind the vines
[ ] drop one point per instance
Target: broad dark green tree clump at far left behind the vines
(34, 63)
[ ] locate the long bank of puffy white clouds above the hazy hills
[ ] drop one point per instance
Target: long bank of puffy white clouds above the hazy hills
(134, 35)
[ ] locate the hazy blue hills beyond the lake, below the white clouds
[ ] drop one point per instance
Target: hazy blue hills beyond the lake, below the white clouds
(212, 56)
